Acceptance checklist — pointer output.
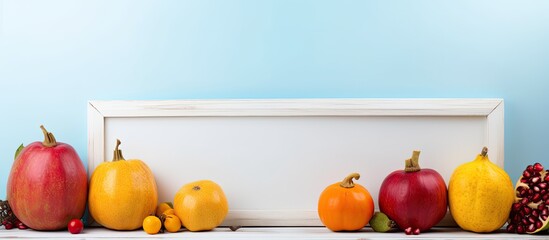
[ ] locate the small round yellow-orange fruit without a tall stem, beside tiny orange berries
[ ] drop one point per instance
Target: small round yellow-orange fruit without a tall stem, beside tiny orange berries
(201, 205)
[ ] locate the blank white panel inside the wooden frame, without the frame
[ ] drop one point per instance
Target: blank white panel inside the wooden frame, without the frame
(284, 163)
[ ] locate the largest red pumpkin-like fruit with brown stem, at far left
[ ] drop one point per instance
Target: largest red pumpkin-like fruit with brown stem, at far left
(47, 186)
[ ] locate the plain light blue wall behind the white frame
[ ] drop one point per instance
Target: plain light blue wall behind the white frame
(57, 55)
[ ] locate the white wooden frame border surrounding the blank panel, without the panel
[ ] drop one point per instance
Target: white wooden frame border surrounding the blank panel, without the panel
(100, 111)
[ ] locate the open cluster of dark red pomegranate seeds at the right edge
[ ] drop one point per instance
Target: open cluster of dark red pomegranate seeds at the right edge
(530, 210)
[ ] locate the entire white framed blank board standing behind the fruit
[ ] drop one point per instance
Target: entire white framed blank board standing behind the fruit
(274, 157)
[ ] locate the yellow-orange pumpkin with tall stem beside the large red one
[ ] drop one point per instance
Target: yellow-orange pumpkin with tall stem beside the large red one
(122, 193)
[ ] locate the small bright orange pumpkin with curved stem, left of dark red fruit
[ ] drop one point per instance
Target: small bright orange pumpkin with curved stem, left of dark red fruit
(345, 206)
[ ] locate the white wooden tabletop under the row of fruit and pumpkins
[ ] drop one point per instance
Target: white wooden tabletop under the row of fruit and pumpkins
(262, 233)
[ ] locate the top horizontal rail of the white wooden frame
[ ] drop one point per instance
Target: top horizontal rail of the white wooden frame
(299, 107)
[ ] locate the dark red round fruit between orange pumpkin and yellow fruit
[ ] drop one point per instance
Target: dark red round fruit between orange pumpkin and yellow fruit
(416, 199)
